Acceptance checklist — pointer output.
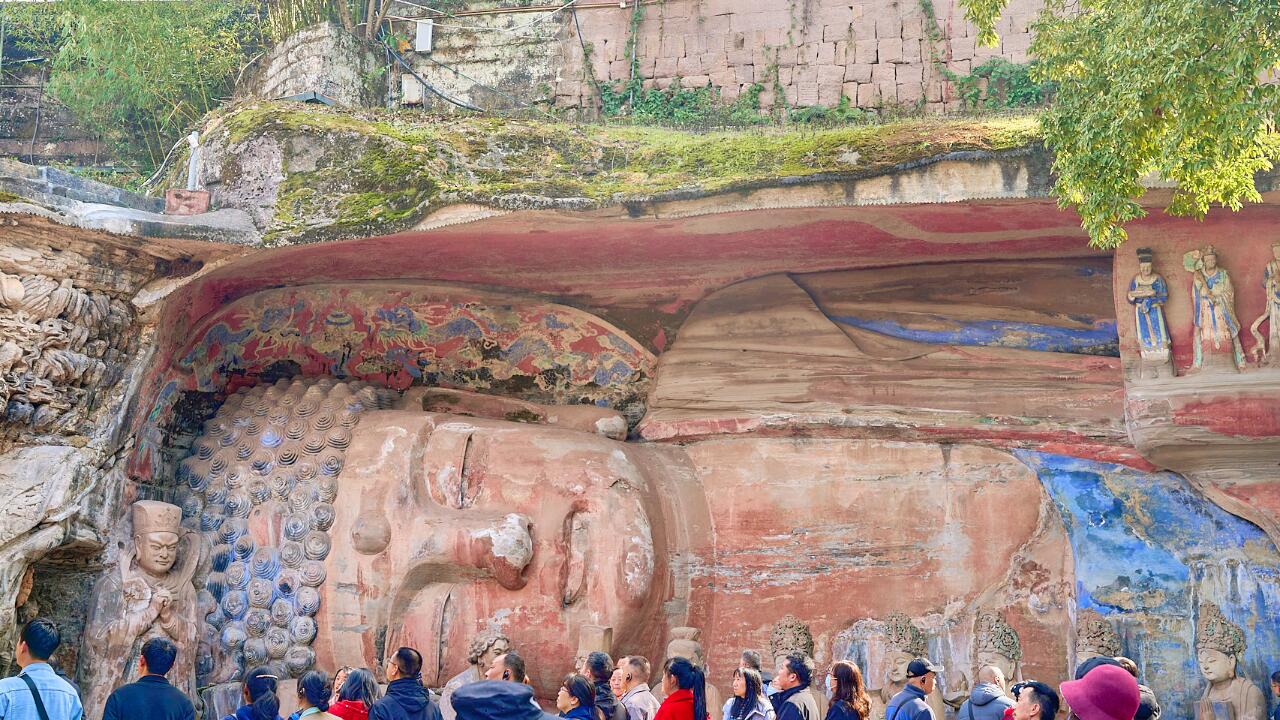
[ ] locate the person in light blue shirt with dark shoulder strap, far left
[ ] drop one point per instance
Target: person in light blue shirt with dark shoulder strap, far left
(38, 692)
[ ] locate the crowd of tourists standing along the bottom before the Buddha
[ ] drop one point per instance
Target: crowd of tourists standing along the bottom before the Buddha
(1105, 689)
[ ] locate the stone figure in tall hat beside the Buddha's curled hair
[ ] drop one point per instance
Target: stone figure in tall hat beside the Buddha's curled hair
(149, 595)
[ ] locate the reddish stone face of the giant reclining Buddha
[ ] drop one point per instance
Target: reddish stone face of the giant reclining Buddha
(449, 526)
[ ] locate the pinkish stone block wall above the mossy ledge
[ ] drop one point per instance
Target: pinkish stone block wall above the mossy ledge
(877, 53)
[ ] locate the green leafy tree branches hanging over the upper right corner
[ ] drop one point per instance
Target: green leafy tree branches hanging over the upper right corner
(1165, 88)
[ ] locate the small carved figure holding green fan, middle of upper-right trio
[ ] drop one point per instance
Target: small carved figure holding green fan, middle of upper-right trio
(1214, 308)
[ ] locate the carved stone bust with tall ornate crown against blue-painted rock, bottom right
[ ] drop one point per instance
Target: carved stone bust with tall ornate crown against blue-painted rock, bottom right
(1219, 646)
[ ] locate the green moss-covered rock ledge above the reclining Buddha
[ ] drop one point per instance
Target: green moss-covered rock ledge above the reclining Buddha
(371, 172)
